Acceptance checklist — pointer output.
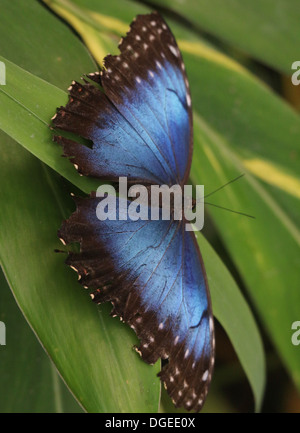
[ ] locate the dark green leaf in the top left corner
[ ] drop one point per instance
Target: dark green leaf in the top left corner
(34, 39)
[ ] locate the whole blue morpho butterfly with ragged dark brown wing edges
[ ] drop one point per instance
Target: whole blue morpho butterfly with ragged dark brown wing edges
(137, 113)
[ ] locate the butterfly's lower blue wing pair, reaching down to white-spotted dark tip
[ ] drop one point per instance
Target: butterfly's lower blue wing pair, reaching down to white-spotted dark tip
(153, 274)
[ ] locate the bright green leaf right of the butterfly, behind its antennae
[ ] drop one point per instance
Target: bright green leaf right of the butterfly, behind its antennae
(265, 250)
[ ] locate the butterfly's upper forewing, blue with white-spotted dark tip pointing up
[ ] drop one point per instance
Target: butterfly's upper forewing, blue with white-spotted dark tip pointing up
(155, 96)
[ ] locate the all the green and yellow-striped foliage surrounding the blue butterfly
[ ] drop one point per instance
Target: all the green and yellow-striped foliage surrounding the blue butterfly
(241, 126)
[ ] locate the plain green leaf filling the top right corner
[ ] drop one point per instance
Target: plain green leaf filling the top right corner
(267, 30)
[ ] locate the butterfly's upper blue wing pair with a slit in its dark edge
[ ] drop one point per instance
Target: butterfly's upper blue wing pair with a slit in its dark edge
(140, 120)
